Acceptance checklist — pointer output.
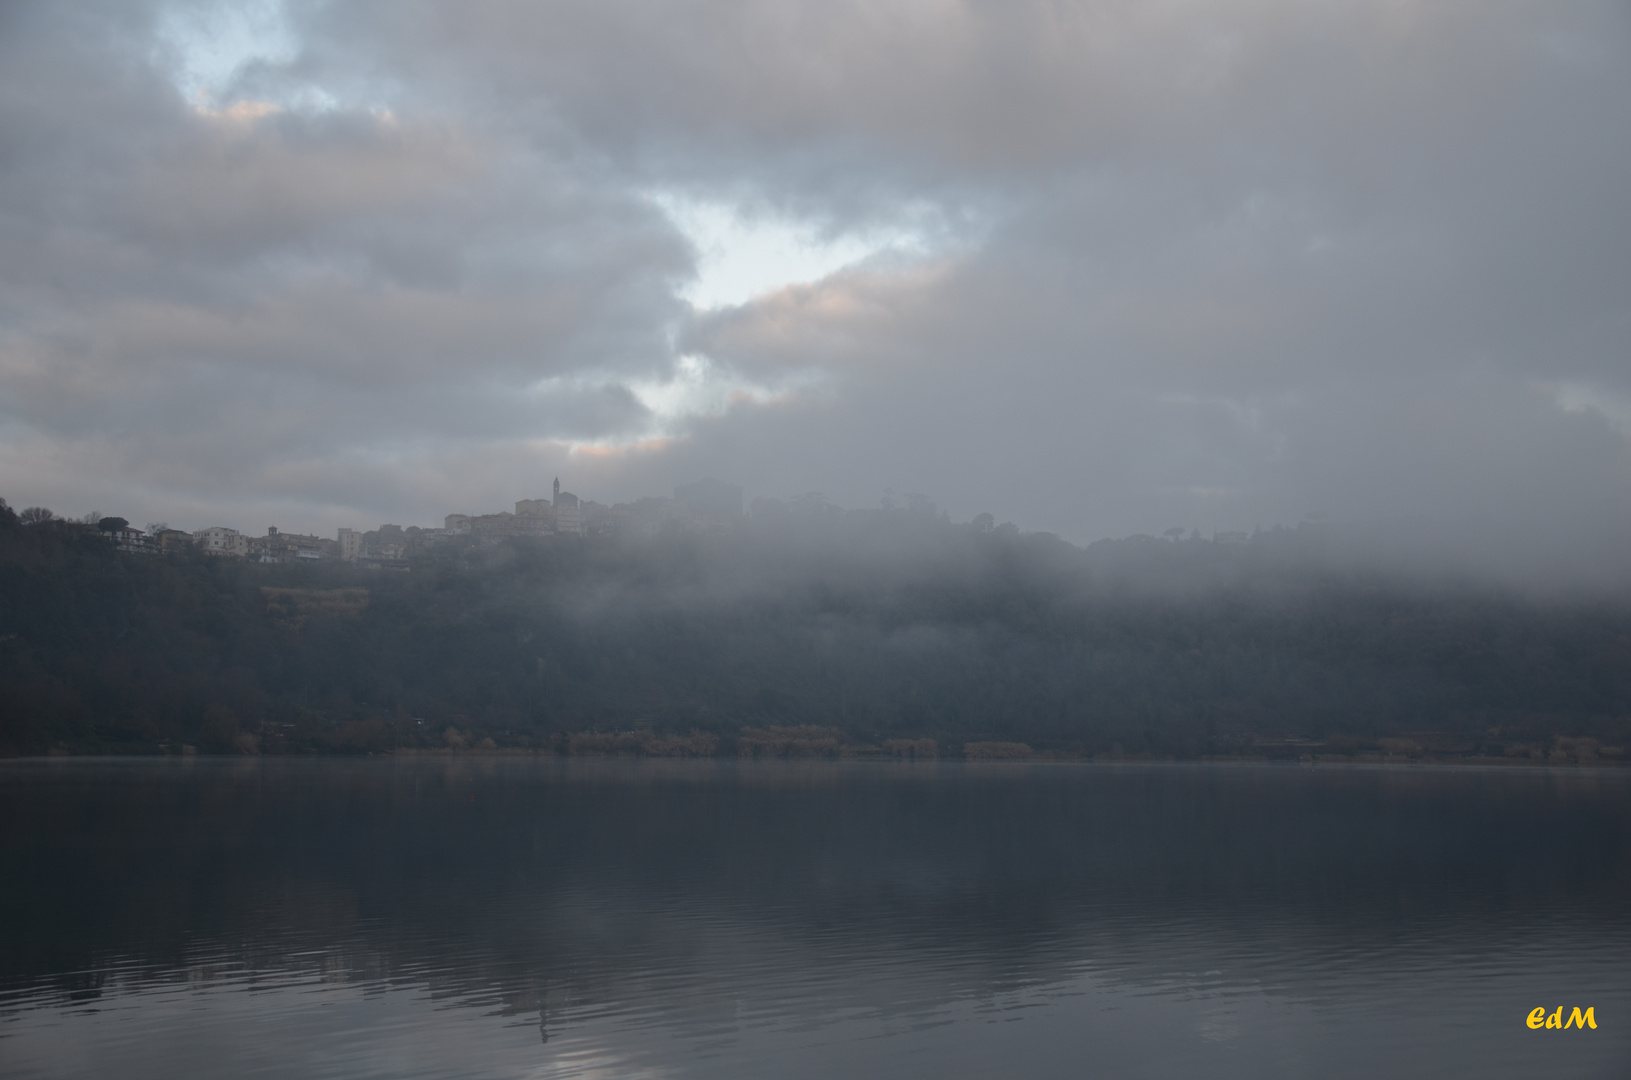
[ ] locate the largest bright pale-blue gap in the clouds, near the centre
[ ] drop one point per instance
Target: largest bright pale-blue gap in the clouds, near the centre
(741, 257)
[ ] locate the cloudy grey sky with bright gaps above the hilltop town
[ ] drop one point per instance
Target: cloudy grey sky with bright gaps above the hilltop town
(1095, 268)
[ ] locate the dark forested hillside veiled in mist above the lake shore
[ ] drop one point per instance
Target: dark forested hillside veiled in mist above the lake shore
(807, 631)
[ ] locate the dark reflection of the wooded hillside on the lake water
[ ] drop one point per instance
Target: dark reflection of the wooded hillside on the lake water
(555, 887)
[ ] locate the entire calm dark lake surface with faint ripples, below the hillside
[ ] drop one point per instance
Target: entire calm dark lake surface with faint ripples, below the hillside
(492, 918)
